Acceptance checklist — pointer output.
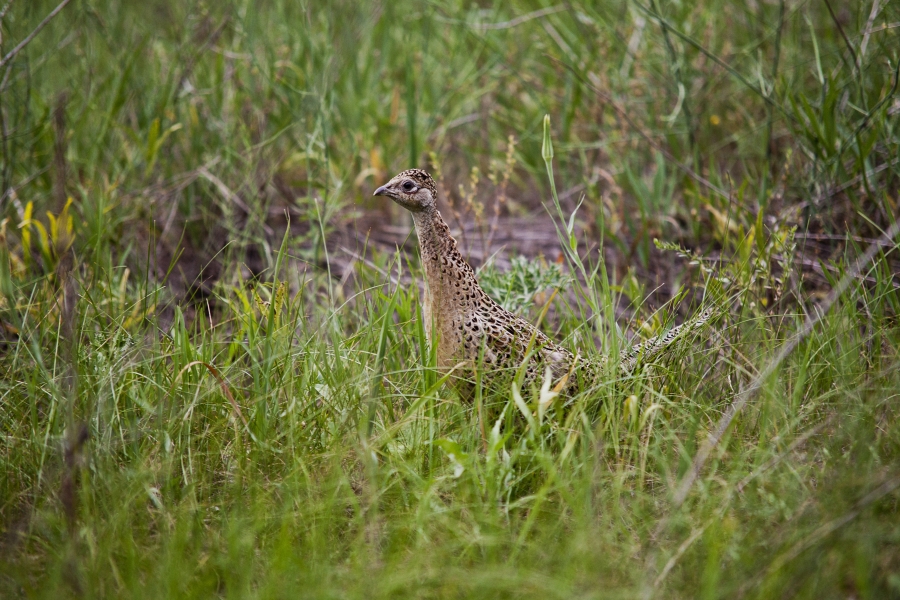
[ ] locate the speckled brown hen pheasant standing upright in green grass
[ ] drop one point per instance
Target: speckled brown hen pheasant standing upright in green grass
(469, 327)
